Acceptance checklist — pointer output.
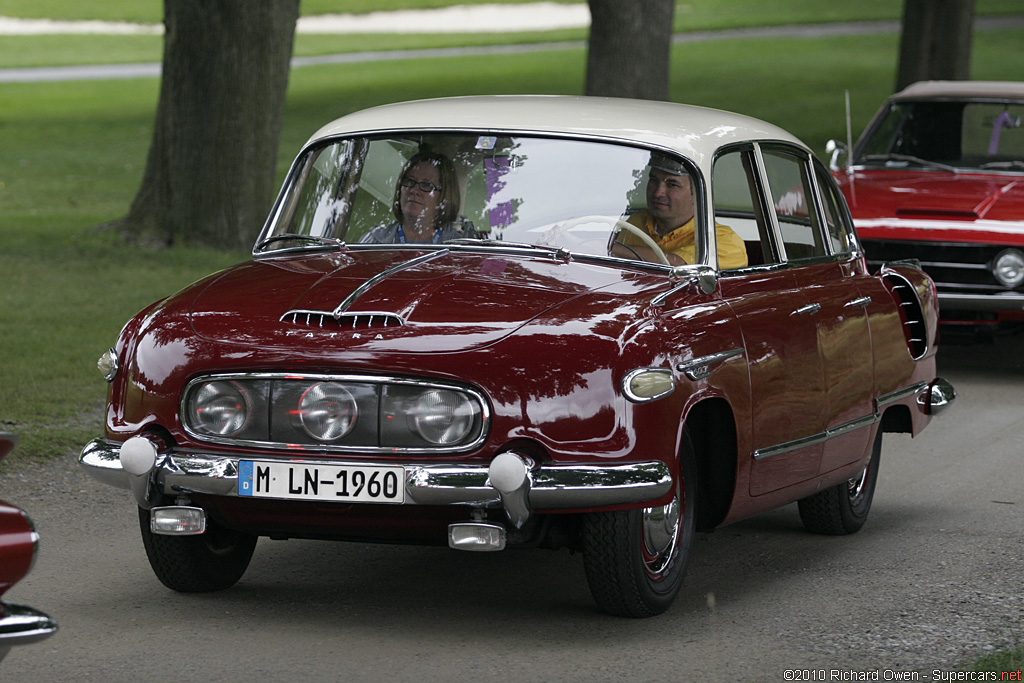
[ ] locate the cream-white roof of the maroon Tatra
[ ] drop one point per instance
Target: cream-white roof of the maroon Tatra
(694, 132)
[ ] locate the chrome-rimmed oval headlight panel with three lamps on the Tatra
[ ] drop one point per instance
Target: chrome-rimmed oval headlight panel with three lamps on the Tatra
(386, 414)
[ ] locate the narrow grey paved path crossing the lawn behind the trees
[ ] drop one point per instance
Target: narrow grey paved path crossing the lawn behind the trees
(131, 71)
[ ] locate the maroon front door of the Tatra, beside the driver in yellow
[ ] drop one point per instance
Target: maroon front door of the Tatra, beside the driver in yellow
(781, 338)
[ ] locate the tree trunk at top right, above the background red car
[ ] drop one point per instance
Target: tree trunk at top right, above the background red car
(935, 41)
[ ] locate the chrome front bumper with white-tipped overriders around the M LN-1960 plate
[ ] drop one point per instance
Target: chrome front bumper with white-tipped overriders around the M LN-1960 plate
(511, 480)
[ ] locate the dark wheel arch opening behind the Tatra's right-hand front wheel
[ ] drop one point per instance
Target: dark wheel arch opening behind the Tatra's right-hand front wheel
(712, 428)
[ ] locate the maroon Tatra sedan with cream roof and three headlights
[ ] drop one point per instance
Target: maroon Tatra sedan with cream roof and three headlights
(545, 322)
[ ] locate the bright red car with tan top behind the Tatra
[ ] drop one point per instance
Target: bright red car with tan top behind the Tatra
(938, 177)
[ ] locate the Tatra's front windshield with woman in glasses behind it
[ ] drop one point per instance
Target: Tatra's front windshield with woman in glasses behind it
(442, 189)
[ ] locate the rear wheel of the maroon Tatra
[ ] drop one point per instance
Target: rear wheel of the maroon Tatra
(843, 509)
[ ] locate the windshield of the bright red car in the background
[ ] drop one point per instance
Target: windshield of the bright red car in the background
(948, 136)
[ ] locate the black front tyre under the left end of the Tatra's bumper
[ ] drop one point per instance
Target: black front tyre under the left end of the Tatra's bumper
(212, 562)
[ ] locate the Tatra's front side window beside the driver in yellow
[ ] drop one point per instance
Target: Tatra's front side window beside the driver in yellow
(735, 189)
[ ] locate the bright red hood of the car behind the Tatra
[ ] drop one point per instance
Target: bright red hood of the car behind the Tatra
(935, 200)
